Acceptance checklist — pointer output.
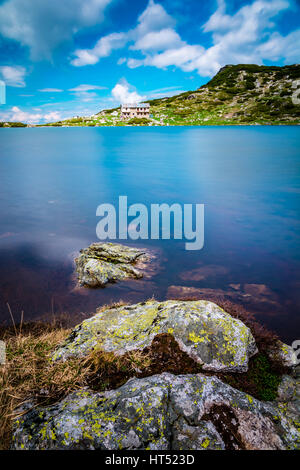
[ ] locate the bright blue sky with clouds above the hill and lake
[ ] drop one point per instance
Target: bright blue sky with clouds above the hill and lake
(63, 58)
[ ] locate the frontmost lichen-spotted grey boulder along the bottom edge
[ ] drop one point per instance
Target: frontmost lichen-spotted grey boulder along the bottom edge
(158, 413)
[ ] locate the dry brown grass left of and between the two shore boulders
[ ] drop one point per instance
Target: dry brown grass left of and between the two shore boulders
(30, 374)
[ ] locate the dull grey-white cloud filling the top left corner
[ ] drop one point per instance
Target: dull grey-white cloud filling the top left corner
(44, 25)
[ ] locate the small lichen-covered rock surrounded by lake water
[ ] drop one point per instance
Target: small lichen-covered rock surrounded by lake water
(101, 263)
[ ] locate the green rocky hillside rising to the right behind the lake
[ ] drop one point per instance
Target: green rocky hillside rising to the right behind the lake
(238, 94)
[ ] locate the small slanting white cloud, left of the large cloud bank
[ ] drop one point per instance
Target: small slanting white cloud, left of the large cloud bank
(103, 48)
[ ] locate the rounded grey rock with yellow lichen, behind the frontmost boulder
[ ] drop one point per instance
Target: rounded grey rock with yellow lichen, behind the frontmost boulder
(203, 330)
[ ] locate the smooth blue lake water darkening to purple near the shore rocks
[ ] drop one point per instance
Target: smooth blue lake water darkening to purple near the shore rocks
(52, 181)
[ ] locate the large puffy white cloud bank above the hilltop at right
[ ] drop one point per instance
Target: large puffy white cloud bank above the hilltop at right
(247, 36)
